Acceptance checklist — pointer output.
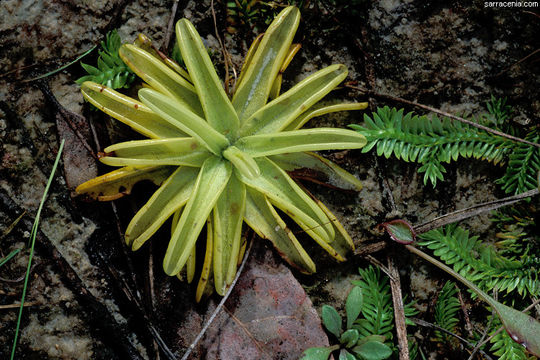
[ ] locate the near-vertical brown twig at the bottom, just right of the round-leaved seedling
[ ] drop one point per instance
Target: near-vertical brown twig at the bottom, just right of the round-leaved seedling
(399, 312)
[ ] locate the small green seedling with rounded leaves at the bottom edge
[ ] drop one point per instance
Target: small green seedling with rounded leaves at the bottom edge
(353, 345)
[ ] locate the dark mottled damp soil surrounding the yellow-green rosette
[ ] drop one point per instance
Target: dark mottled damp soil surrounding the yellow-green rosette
(451, 55)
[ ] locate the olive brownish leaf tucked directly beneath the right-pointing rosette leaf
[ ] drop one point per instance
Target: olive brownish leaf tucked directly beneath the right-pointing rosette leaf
(321, 169)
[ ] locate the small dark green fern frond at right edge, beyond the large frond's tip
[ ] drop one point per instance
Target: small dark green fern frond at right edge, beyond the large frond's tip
(523, 166)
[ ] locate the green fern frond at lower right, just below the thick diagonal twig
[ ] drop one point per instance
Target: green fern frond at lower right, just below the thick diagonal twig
(480, 262)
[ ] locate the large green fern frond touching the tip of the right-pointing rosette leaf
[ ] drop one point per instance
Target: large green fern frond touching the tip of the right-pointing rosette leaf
(429, 141)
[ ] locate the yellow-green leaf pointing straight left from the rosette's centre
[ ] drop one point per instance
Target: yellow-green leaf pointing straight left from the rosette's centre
(174, 151)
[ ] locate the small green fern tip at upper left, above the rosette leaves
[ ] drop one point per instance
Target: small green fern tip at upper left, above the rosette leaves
(111, 70)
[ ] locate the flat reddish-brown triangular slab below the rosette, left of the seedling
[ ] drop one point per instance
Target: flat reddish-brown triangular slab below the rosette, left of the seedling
(268, 316)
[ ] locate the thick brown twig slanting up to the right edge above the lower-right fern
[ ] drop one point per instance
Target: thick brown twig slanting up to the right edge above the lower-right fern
(471, 211)
